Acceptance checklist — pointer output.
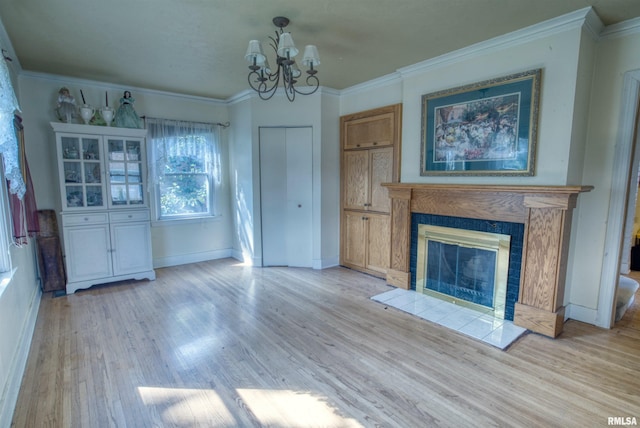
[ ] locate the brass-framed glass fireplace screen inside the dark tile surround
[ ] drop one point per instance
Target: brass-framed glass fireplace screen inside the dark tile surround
(465, 267)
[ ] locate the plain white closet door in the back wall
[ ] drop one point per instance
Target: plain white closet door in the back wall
(286, 196)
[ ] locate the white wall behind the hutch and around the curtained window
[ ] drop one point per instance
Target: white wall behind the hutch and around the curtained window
(208, 239)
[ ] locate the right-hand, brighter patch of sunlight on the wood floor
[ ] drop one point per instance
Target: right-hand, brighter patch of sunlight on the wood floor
(292, 409)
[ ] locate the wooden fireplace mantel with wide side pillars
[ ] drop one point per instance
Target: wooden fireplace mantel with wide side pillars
(546, 213)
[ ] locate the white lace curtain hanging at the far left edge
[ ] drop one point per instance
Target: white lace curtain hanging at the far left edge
(8, 139)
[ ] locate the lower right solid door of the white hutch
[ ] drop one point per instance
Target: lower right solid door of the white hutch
(131, 243)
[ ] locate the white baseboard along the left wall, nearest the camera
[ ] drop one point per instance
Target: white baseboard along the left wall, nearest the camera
(19, 363)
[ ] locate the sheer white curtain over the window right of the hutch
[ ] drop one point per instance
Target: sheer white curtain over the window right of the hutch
(172, 138)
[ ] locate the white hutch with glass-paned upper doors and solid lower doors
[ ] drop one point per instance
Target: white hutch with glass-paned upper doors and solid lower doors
(106, 224)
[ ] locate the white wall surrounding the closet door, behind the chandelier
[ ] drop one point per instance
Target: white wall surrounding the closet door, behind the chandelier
(320, 112)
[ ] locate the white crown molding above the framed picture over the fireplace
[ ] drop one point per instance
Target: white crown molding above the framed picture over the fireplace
(552, 26)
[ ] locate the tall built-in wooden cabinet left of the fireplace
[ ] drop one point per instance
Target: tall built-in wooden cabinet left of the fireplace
(370, 143)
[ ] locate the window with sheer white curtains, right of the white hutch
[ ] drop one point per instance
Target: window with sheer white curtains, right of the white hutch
(185, 168)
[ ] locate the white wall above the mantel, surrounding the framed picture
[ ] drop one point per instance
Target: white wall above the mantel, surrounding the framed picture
(555, 54)
